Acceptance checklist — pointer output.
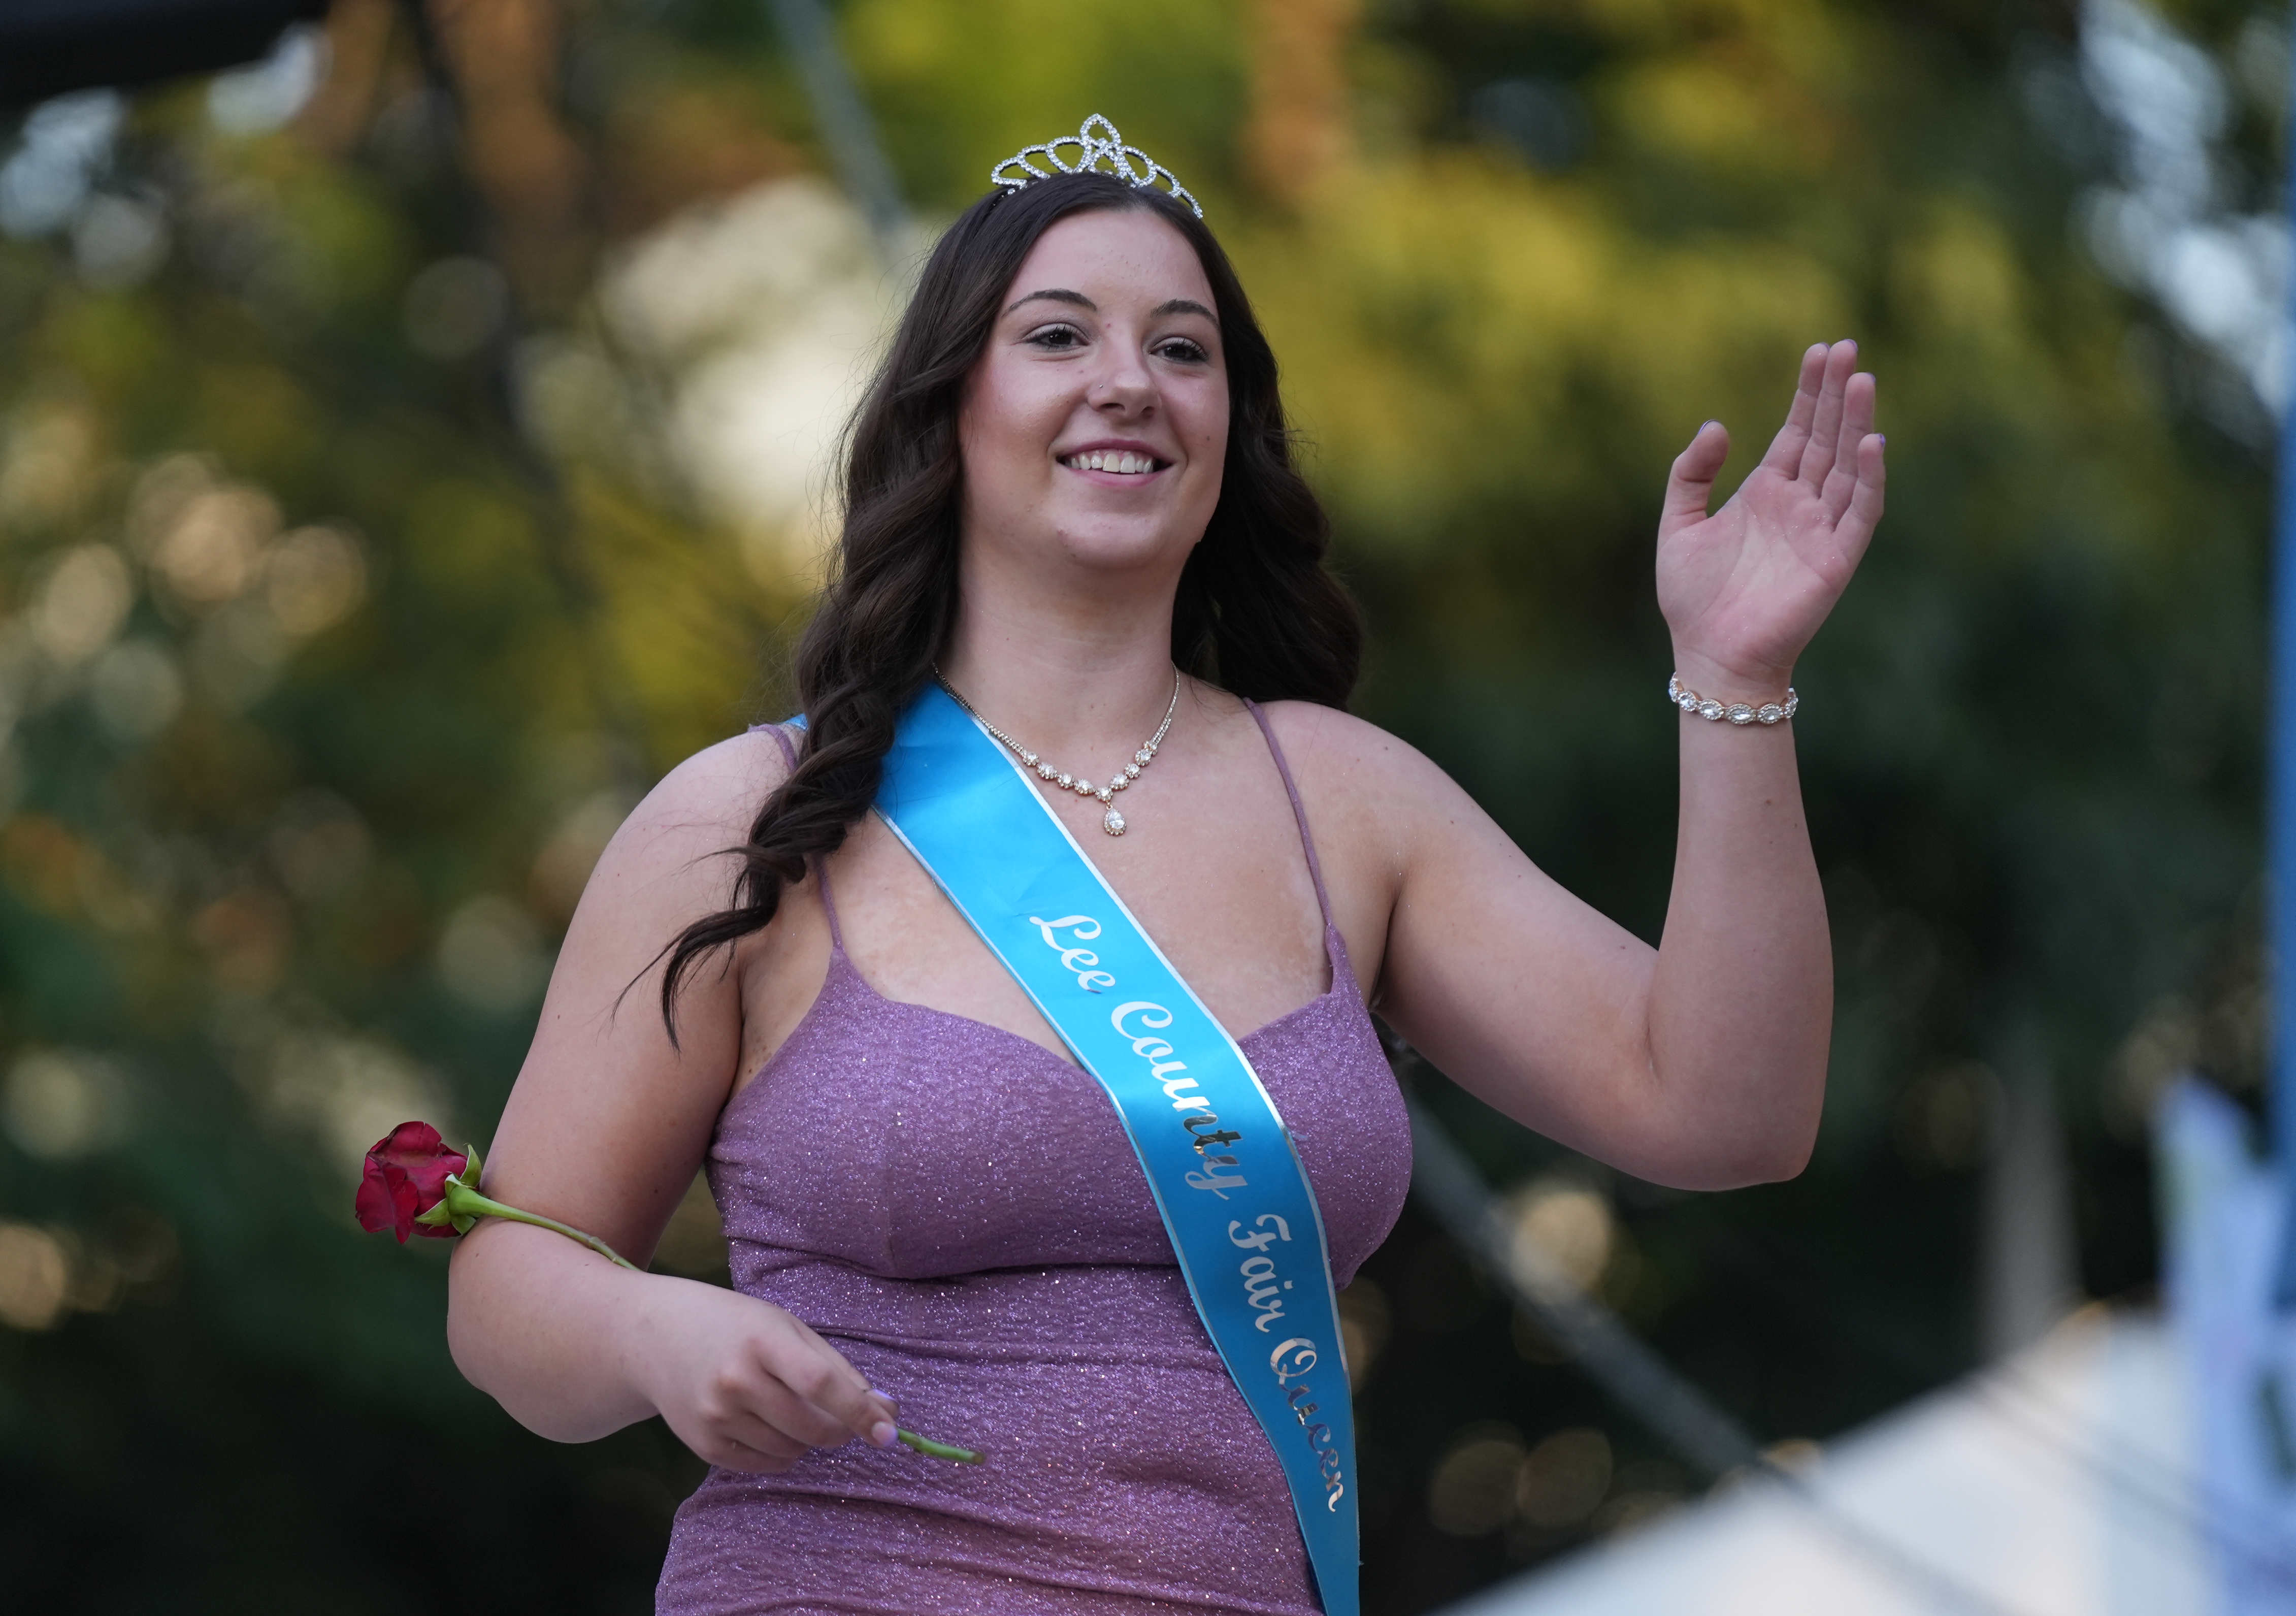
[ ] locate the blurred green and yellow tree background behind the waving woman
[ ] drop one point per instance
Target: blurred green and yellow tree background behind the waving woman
(414, 440)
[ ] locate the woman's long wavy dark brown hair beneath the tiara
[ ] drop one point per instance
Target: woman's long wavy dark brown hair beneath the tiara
(1257, 609)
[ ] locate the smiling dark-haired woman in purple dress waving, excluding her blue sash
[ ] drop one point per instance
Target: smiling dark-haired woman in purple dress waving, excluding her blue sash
(1071, 499)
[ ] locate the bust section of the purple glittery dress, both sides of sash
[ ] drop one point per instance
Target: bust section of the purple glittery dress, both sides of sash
(917, 1144)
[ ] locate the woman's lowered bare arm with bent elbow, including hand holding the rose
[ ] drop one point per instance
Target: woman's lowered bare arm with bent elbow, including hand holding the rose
(605, 1131)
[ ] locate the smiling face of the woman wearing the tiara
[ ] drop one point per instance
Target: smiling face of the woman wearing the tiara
(1096, 421)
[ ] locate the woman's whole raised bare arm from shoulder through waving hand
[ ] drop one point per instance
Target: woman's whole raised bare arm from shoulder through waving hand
(1698, 1064)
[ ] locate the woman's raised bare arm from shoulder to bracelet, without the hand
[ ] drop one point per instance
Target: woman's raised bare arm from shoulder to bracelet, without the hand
(1698, 1064)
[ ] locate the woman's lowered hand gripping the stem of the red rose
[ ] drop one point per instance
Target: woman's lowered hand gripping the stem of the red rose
(747, 1385)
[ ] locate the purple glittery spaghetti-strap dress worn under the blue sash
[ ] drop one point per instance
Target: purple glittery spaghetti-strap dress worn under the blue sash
(959, 1213)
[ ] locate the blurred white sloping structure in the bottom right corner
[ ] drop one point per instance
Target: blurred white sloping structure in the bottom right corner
(2058, 1484)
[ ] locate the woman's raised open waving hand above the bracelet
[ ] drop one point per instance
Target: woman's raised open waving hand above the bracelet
(1748, 586)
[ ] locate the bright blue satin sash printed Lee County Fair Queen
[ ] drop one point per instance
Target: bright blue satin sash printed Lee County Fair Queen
(1223, 1167)
